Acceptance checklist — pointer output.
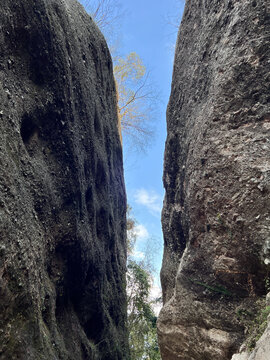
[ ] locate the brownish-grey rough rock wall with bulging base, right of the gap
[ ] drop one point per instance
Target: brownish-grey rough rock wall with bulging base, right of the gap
(216, 218)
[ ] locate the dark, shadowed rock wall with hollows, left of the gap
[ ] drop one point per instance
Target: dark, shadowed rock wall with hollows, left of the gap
(62, 196)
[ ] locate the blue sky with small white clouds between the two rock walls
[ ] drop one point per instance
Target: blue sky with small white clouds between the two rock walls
(145, 28)
